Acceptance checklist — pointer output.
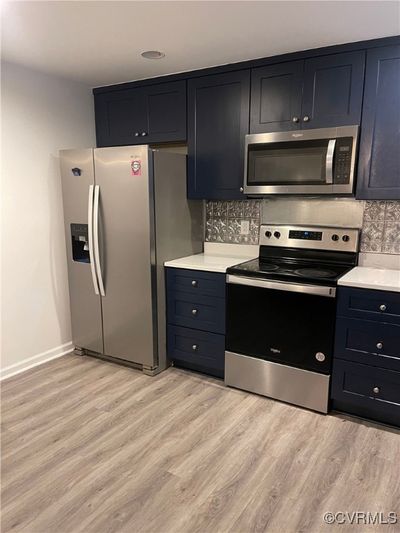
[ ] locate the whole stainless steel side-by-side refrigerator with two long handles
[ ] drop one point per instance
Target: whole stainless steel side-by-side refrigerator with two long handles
(125, 213)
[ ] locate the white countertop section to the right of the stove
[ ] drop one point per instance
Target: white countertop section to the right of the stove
(381, 279)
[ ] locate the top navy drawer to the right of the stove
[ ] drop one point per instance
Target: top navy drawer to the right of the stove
(381, 306)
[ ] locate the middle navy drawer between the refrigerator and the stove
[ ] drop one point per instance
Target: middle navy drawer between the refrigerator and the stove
(202, 312)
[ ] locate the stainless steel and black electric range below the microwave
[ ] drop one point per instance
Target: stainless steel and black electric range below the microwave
(280, 313)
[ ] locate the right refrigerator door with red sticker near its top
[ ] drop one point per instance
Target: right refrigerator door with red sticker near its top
(123, 209)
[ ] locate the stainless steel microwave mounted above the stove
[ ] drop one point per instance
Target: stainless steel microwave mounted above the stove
(320, 161)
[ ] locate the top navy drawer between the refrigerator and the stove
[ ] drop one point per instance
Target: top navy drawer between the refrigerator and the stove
(196, 282)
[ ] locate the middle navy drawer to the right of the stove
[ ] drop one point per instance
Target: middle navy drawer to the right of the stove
(363, 341)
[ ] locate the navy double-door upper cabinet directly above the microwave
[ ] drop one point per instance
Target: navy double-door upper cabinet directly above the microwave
(320, 92)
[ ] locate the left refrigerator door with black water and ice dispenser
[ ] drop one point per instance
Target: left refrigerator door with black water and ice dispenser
(78, 184)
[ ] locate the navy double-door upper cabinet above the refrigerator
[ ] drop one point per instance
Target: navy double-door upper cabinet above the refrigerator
(150, 114)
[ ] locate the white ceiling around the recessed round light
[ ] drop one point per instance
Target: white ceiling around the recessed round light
(99, 42)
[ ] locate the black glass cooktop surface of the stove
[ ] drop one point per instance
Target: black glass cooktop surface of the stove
(294, 271)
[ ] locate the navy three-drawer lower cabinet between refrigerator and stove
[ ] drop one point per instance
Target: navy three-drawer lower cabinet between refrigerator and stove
(196, 320)
